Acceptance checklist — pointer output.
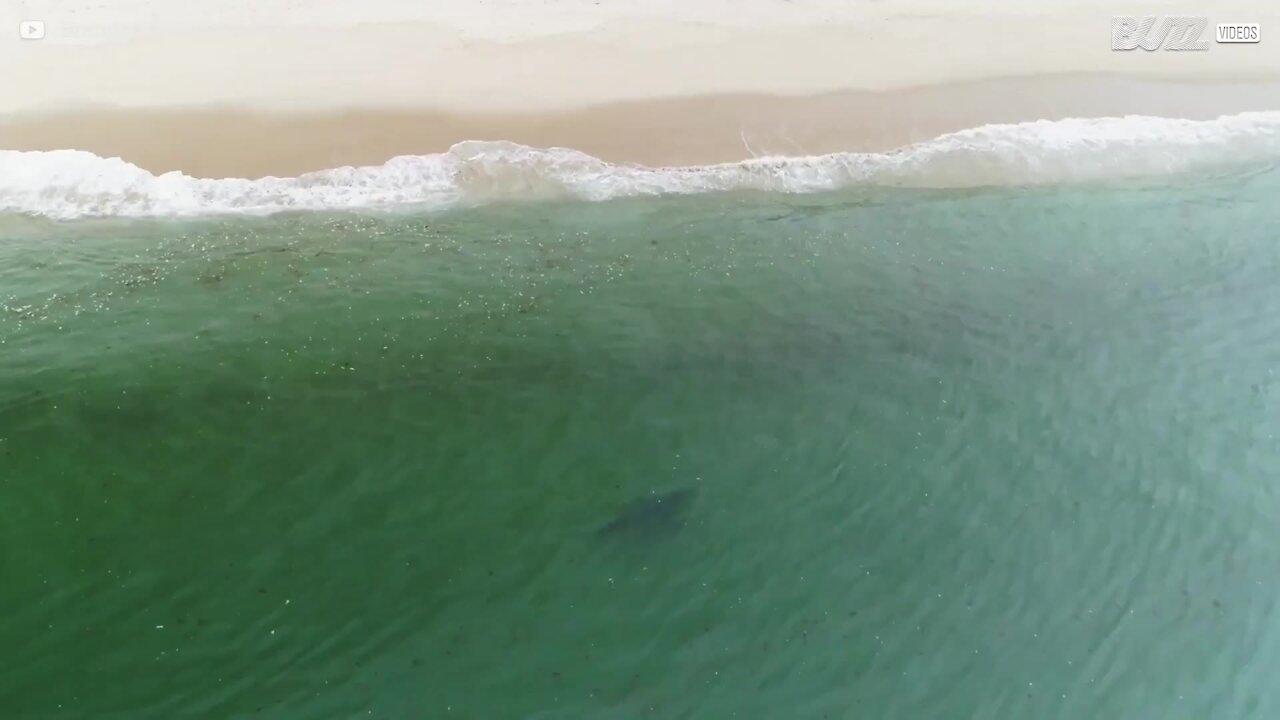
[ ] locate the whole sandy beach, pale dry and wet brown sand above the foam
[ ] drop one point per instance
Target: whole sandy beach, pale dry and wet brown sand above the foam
(246, 90)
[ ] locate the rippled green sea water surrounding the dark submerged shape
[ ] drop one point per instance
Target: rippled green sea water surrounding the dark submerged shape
(988, 454)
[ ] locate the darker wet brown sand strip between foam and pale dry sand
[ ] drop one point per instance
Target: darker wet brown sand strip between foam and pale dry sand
(217, 143)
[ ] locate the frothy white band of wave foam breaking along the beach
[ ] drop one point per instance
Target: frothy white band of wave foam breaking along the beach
(71, 184)
